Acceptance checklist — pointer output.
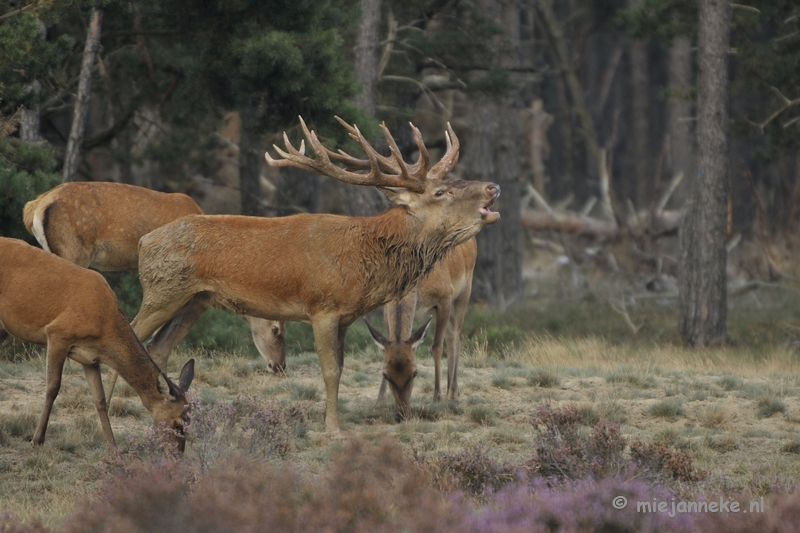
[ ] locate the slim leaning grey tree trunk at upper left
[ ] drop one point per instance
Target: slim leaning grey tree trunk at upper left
(73, 152)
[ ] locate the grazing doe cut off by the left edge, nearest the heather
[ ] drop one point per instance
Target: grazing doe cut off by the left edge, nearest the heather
(47, 300)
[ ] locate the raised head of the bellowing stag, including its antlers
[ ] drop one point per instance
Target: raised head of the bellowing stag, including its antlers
(425, 191)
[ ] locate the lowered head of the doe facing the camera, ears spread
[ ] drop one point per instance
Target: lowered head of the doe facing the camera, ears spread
(399, 366)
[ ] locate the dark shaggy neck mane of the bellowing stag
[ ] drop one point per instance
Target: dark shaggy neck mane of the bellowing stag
(399, 249)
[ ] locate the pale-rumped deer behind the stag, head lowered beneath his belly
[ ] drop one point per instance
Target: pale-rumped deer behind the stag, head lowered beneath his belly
(99, 224)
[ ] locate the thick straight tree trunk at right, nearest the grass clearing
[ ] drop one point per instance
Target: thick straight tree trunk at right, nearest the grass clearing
(703, 295)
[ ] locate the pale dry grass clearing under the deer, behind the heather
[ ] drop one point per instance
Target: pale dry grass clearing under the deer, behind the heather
(734, 407)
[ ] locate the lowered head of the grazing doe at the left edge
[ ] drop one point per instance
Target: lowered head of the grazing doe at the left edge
(171, 412)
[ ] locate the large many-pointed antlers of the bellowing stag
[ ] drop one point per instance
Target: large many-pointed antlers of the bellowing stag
(383, 171)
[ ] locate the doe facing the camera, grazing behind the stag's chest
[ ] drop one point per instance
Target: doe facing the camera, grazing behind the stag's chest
(445, 293)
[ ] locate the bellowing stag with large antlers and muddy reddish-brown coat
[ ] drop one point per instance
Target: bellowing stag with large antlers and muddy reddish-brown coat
(324, 269)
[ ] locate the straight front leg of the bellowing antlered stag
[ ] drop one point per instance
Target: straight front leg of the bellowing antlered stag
(329, 339)
